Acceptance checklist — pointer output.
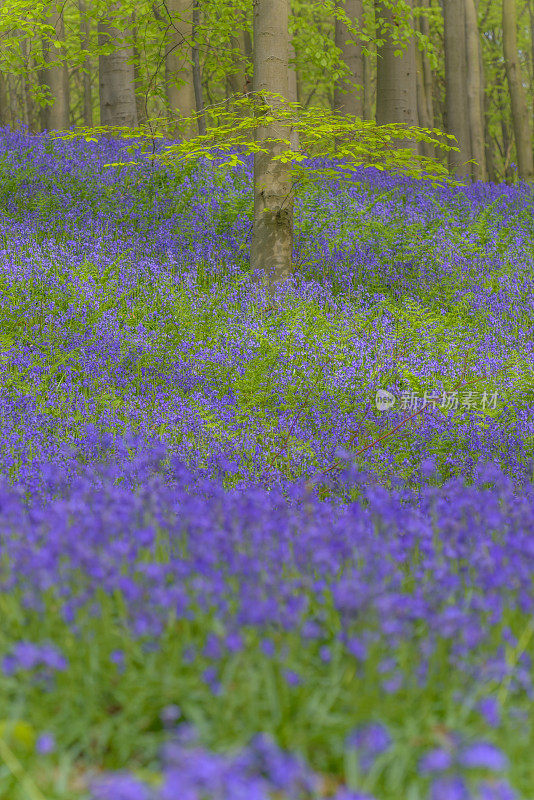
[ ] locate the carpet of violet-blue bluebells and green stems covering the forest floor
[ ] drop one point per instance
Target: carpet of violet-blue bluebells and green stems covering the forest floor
(226, 573)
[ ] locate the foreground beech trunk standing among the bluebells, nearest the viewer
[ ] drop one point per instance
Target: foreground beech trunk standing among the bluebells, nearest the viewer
(272, 233)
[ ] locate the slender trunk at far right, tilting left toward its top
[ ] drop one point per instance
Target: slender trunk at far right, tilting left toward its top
(520, 115)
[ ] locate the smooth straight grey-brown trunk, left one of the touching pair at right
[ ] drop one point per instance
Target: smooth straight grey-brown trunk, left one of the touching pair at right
(456, 109)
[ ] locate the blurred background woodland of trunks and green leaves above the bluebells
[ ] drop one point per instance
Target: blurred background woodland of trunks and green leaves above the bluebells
(463, 66)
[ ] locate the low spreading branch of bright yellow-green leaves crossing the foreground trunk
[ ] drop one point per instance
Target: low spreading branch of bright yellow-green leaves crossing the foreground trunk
(352, 141)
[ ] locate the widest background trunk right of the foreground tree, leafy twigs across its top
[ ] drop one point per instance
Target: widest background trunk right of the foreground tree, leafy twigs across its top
(396, 86)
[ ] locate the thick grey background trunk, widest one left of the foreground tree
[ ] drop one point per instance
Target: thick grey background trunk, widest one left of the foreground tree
(117, 86)
